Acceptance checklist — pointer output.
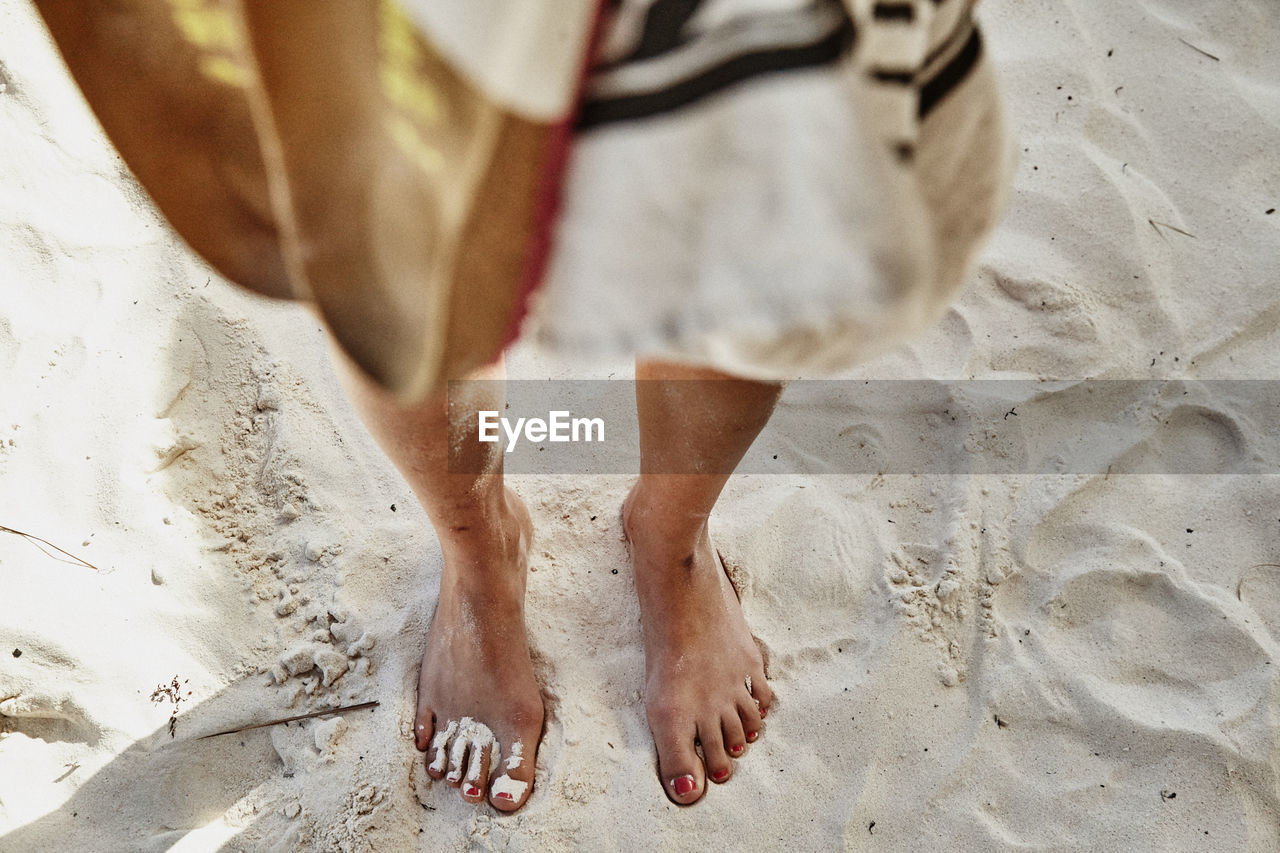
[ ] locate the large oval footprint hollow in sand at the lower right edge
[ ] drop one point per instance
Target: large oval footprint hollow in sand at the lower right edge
(1116, 617)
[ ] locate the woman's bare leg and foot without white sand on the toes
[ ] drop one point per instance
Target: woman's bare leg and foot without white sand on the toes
(703, 672)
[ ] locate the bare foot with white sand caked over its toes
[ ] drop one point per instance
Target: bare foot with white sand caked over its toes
(479, 709)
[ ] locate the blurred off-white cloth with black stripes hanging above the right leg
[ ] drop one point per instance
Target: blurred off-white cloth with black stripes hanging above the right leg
(734, 199)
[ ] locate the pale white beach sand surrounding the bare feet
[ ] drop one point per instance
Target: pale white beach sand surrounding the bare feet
(191, 444)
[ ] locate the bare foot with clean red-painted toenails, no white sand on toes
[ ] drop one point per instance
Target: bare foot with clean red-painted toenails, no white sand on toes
(705, 678)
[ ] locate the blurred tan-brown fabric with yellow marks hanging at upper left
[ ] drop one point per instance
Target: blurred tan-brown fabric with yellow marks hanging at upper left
(335, 152)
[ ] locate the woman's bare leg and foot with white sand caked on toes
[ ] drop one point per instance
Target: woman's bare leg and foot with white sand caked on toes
(477, 667)
